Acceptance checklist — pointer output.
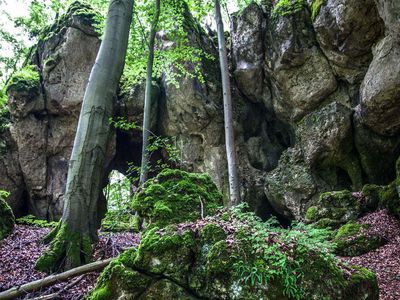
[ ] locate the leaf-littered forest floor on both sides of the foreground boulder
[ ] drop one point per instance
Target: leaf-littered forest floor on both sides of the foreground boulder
(19, 252)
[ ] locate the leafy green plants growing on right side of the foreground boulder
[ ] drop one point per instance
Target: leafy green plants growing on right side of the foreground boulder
(280, 253)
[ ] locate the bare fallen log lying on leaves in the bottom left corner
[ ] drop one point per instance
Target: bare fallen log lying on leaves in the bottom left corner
(52, 279)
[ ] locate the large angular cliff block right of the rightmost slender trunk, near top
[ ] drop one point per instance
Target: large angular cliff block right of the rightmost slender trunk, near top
(301, 75)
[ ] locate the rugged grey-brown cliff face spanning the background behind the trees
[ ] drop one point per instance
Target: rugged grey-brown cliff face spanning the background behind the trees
(316, 107)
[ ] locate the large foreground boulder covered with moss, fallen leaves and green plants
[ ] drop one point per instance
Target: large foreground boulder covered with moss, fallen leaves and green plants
(233, 255)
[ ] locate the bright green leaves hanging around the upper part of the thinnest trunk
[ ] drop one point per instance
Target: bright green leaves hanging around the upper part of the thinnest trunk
(174, 55)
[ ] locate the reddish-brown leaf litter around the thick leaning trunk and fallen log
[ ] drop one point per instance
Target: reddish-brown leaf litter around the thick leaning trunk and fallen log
(19, 252)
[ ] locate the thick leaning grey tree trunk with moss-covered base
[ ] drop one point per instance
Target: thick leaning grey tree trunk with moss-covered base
(71, 240)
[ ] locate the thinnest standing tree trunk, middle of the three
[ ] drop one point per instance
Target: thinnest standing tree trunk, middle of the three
(144, 170)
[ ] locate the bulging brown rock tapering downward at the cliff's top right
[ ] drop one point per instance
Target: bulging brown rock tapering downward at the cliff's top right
(346, 31)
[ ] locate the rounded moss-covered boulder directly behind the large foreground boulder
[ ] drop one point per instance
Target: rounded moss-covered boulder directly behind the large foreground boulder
(176, 196)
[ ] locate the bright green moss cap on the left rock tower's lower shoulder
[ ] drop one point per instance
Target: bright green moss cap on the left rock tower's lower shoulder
(27, 79)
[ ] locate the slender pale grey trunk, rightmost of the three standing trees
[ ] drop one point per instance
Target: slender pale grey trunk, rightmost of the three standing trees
(226, 89)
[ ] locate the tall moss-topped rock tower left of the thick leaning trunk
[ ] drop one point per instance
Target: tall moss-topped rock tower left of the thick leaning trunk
(44, 102)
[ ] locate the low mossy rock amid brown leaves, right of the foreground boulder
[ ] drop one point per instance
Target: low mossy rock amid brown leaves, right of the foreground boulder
(353, 239)
